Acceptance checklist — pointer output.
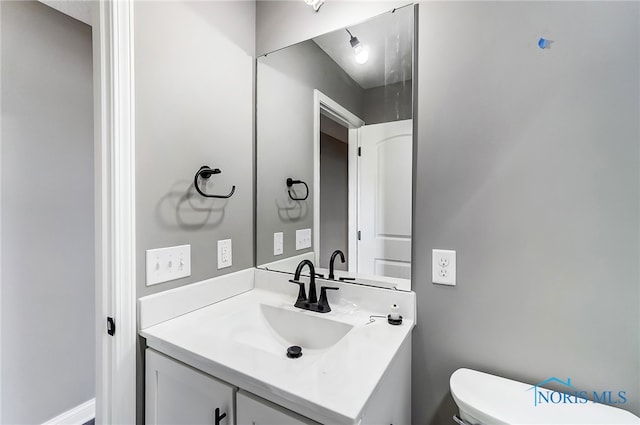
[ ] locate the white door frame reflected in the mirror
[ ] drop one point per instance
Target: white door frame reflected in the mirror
(323, 104)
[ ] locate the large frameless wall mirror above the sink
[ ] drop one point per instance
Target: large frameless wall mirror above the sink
(334, 152)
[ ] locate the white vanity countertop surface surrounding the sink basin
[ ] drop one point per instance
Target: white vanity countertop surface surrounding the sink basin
(330, 386)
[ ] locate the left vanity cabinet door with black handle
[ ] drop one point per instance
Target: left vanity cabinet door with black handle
(178, 394)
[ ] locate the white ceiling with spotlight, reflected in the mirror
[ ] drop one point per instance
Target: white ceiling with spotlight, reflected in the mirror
(389, 38)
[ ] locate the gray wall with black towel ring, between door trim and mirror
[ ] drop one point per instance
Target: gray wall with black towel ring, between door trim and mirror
(194, 106)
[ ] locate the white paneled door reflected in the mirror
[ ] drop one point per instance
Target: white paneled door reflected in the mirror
(384, 210)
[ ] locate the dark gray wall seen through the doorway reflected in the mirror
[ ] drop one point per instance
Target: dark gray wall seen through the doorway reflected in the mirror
(334, 198)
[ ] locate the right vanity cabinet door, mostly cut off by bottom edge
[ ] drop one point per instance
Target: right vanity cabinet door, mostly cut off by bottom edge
(252, 410)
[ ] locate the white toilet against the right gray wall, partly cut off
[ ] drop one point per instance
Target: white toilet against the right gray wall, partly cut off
(490, 400)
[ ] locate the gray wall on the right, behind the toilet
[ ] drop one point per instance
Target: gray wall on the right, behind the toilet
(528, 166)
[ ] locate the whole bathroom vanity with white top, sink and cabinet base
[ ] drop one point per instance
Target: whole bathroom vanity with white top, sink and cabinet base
(217, 353)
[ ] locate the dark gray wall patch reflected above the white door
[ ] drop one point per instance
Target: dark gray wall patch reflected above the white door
(393, 102)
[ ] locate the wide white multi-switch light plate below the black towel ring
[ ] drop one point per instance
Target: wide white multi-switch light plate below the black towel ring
(165, 264)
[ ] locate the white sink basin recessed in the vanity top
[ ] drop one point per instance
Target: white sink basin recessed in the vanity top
(307, 331)
